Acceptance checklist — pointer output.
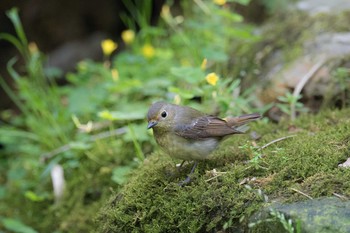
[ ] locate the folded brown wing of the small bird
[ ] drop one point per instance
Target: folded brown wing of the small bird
(205, 127)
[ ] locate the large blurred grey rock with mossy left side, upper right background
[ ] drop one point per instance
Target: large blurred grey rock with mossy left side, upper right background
(305, 46)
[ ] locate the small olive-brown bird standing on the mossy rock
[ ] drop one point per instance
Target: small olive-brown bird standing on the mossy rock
(188, 134)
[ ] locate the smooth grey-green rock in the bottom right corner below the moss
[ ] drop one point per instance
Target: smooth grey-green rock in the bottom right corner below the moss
(323, 215)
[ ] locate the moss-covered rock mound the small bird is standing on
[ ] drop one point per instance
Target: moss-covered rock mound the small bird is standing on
(152, 201)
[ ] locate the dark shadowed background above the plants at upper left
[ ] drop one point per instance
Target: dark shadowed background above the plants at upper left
(66, 31)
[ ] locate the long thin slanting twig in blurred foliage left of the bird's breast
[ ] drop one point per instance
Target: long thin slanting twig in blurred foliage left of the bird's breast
(93, 138)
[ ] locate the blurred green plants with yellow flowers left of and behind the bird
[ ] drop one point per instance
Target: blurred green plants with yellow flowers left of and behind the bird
(82, 125)
